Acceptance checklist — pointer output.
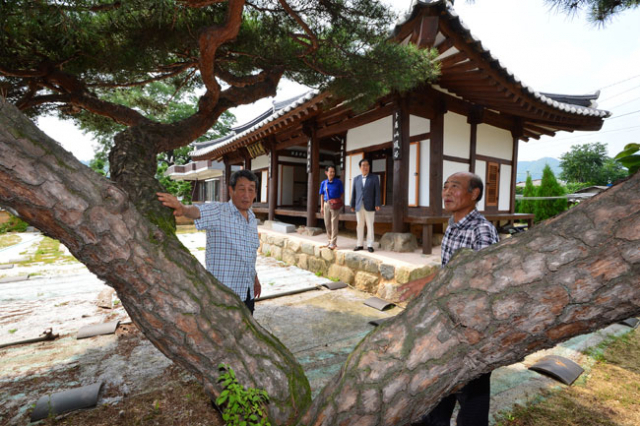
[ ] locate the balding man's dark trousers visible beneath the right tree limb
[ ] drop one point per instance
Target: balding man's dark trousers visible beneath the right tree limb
(474, 406)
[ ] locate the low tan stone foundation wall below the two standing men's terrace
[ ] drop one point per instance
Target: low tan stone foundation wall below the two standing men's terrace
(361, 271)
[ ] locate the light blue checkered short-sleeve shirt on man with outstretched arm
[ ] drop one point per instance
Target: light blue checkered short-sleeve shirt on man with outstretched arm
(232, 245)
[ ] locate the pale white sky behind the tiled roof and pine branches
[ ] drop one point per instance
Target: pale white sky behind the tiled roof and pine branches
(548, 51)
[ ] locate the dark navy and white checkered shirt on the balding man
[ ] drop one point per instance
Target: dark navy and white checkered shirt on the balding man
(473, 231)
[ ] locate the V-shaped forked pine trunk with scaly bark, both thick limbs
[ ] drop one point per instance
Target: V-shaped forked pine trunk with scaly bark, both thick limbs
(570, 275)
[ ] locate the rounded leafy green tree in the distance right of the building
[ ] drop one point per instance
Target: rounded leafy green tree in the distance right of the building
(589, 163)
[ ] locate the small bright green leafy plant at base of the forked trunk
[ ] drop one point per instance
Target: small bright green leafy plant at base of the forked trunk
(240, 406)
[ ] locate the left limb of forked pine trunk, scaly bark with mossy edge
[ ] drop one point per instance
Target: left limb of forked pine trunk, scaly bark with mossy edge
(179, 306)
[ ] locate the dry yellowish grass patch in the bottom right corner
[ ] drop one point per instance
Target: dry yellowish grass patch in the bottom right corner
(609, 395)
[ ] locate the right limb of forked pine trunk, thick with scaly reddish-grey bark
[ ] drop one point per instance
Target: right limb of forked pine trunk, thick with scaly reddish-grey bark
(575, 273)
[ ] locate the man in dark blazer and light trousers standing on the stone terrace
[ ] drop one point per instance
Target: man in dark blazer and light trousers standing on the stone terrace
(365, 201)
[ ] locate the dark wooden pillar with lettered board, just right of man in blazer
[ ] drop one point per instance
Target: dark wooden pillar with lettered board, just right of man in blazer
(401, 146)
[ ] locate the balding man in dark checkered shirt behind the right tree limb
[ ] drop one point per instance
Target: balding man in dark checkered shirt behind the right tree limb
(467, 229)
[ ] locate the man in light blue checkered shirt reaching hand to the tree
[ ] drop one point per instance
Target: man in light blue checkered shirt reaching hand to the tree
(232, 235)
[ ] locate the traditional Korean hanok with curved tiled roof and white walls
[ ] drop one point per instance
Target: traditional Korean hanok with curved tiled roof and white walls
(470, 119)
